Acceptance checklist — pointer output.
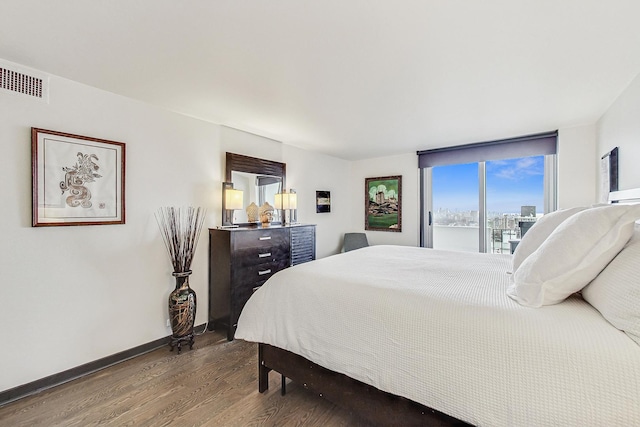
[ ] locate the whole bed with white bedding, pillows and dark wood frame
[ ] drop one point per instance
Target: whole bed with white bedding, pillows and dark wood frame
(407, 335)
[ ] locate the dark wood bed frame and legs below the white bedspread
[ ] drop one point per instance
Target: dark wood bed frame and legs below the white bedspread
(376, 406)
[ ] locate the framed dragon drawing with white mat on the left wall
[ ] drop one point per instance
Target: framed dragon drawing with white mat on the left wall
(77, 180)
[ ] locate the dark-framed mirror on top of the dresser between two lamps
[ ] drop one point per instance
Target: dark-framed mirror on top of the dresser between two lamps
(259, 180)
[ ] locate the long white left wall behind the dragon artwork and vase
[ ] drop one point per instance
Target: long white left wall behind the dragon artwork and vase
(73, 295)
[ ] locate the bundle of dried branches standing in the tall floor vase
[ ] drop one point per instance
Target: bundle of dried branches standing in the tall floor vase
(180, 229)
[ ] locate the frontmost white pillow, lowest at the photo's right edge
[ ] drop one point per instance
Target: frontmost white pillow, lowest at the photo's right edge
(616, 291)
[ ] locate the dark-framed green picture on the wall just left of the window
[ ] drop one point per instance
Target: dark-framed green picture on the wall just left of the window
(383, 203)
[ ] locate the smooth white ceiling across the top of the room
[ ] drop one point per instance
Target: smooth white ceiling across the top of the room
(350, 78)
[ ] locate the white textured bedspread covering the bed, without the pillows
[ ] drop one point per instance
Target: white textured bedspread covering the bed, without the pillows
(437, 327)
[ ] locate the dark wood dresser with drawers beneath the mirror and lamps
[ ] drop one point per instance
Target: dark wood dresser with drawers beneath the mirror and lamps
(242, 259)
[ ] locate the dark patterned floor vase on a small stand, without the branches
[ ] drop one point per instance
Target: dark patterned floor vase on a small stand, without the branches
(182, 311)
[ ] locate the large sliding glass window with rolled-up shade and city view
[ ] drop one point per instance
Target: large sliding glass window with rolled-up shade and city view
(483, 197)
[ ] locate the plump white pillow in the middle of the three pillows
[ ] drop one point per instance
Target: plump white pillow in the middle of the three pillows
(573, 255)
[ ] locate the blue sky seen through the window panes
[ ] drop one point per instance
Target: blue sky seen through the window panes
(510, 184)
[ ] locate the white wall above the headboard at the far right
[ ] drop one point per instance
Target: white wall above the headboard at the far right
(620, 127)
